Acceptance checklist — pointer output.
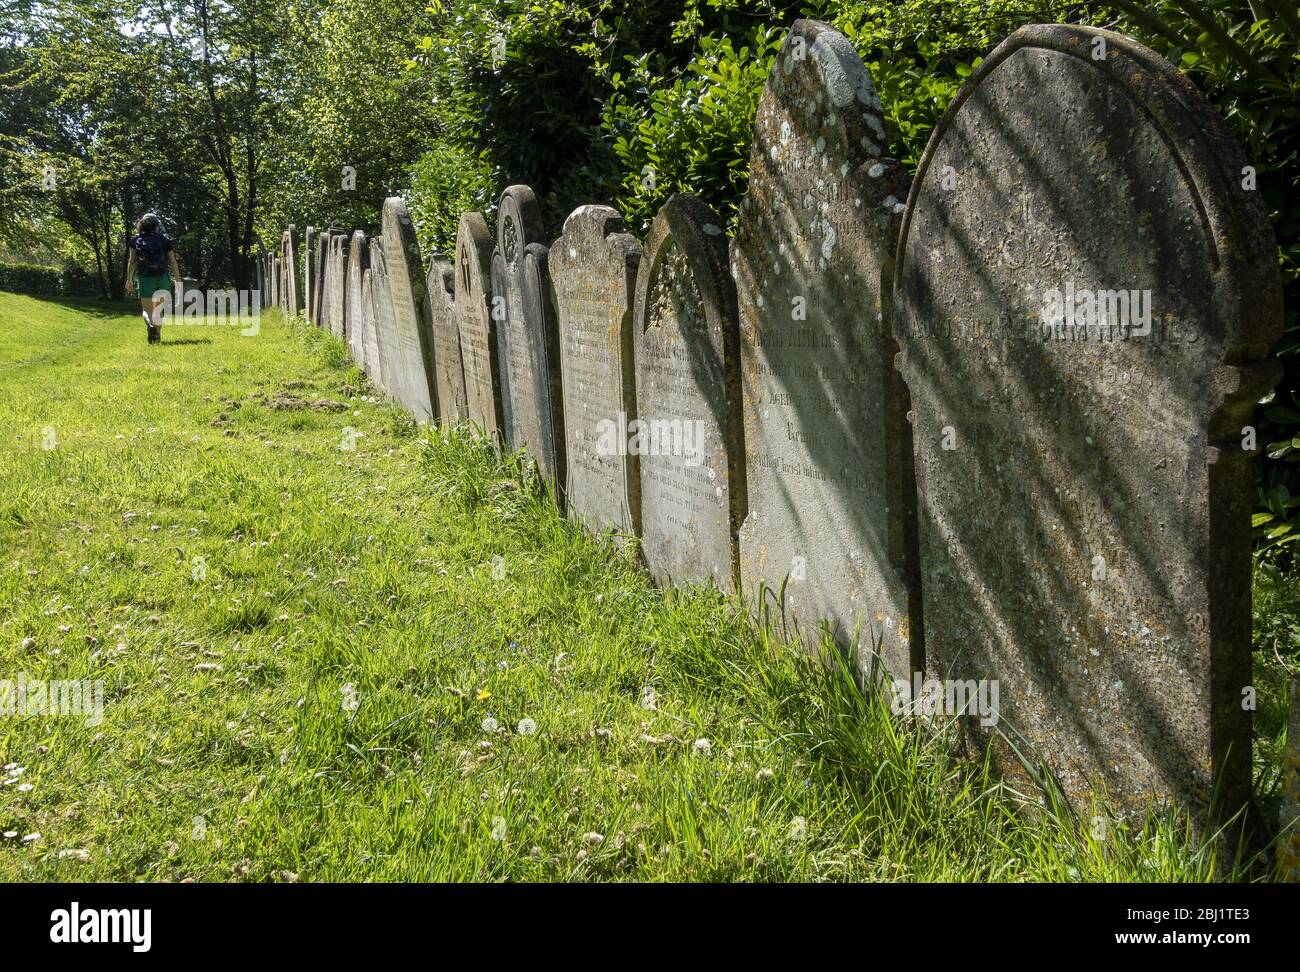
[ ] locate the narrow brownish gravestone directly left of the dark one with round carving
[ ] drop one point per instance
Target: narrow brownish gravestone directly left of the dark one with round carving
(474, 322)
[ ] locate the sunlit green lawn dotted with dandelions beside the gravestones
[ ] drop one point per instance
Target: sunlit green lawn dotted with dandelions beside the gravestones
(301, 645)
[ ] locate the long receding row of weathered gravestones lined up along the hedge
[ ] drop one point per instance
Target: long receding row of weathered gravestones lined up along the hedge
(987, 422)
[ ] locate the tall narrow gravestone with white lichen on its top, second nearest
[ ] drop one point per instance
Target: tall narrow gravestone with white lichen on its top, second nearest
(827, 444)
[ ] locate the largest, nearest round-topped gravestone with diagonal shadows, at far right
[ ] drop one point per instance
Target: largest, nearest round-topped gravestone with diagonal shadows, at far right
(1085, 496)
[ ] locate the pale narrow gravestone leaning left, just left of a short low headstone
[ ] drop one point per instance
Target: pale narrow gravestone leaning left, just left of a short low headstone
(417, 389)
